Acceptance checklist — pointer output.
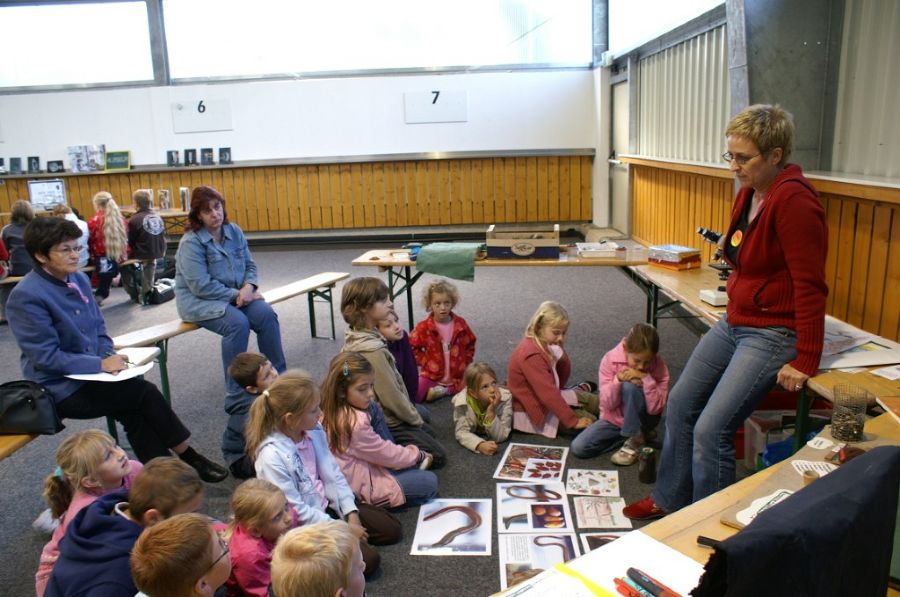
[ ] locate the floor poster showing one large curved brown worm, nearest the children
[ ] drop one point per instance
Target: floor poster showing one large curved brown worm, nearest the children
(453, 527)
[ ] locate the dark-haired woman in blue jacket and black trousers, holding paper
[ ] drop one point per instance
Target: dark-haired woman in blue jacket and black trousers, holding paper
(60, 331)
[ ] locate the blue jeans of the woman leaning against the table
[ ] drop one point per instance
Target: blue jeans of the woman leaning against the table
(729, 372)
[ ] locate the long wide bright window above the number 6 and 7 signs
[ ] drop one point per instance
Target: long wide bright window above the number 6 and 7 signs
(232, 38)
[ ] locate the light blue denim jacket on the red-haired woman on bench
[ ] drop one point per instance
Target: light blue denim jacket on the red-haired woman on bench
(209, 275)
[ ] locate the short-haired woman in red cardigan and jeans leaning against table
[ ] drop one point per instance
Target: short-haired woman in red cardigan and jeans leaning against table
(773, 330)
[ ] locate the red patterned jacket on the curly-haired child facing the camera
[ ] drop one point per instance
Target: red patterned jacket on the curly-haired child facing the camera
(426, 344)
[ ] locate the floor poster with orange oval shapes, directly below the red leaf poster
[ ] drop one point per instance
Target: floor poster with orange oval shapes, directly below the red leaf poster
(533, 508)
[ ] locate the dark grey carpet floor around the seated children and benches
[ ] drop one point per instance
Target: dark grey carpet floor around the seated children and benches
(602, 302)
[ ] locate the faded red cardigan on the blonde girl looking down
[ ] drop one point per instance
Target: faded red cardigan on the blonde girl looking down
(532, 385)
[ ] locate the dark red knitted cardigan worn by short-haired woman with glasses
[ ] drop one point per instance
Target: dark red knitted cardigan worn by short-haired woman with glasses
(780, 280)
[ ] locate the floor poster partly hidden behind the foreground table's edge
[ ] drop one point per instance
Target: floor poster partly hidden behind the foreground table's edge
(523, 556)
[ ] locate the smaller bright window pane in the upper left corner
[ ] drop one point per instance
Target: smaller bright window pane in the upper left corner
(75, 44)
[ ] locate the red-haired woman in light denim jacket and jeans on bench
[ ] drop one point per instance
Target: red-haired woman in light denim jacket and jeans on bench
(216, 286)
